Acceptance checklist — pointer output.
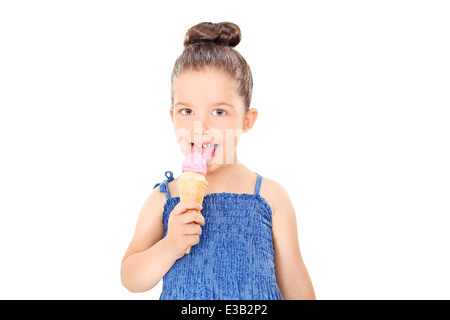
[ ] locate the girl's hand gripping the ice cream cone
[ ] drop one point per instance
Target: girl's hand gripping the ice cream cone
(184, 227)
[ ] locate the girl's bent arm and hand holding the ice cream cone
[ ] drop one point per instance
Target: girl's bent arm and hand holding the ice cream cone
(149, 255)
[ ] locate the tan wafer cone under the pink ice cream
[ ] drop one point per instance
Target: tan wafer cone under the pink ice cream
(192, 186)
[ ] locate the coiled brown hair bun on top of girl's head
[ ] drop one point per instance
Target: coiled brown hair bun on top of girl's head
(222, 33)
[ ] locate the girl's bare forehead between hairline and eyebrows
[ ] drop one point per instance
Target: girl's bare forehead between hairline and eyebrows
(205, 86)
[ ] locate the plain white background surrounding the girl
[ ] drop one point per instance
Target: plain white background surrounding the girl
(354, 122)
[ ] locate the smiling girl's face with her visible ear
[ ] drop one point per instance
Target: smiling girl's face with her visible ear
(208, 115)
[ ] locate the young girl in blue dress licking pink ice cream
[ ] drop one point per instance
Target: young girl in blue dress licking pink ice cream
(244, 235)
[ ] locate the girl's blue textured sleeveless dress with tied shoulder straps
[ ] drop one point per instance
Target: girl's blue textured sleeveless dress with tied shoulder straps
(234, 259)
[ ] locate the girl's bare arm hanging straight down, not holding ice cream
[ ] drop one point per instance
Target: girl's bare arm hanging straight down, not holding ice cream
(291, 273)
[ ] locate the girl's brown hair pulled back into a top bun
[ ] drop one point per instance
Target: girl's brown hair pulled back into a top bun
(210, 44)
